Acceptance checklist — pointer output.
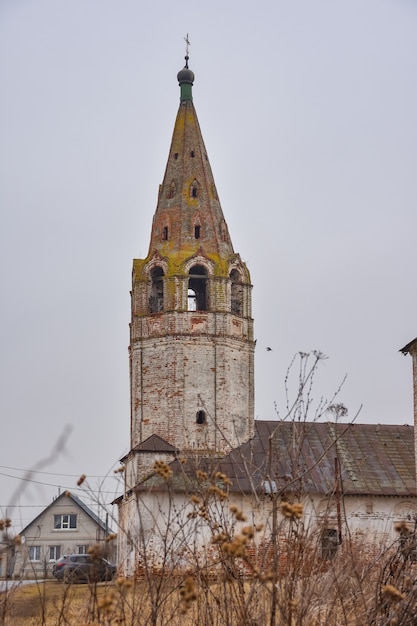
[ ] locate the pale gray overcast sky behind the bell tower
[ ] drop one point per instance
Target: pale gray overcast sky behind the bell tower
(308, 111)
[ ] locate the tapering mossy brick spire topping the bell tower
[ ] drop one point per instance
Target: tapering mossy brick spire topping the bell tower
(189, 216)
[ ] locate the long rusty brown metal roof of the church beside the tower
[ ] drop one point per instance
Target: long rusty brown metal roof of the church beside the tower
(367, 459)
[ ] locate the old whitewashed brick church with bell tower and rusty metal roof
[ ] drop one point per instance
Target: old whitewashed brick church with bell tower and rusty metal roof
(198, 459)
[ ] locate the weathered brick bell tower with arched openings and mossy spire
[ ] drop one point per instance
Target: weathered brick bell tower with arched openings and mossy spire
(191, 333)
